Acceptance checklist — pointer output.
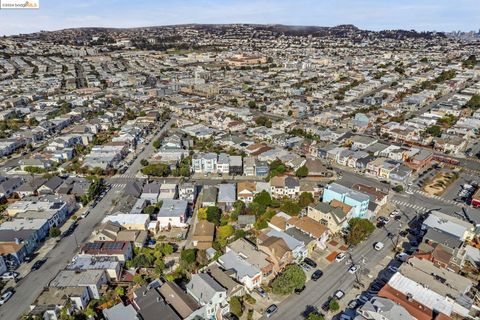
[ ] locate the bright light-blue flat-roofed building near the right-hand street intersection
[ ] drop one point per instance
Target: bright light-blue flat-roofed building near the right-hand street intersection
(359, 201)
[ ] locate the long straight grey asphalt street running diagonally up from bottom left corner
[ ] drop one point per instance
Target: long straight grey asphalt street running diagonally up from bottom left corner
(31, 286)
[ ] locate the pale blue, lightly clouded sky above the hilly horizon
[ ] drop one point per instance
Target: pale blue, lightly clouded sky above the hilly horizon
(421, 15)
